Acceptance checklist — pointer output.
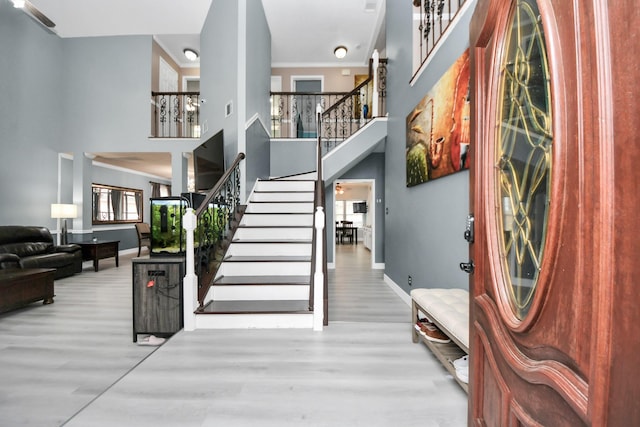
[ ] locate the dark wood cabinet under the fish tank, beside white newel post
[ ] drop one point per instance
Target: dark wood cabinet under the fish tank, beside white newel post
(157, 296)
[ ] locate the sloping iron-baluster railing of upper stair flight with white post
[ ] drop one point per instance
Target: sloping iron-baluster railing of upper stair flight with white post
(357, 108)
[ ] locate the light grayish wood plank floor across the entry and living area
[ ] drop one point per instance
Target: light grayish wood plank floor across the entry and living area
(73, 363)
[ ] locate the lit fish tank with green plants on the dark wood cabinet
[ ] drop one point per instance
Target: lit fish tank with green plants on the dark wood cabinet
(168, 236)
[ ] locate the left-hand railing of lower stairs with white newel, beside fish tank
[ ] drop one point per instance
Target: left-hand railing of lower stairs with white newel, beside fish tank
(209, 229)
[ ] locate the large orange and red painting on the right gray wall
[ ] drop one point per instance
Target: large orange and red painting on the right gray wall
(438, 127)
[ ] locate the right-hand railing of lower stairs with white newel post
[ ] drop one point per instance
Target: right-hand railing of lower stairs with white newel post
(318, 293)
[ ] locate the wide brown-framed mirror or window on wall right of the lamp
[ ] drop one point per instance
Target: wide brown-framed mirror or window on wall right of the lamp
(116, 205)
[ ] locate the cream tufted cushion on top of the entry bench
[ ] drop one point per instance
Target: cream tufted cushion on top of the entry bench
(447, 307)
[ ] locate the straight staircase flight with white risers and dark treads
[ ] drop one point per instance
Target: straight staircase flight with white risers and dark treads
(264, 280)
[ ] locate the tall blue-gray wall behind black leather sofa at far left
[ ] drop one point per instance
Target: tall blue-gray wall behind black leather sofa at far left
(30, 127)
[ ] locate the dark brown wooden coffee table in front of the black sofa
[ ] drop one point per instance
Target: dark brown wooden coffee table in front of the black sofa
(20, 287)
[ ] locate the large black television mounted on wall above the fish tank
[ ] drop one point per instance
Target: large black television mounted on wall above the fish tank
(208, 162)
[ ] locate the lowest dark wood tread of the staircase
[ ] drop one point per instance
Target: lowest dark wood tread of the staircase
(256, 307)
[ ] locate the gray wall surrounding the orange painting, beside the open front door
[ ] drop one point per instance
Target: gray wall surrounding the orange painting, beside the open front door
(425, 223)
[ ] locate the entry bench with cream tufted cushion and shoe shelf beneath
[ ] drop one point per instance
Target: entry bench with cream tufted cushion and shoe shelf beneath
(448, 309)
